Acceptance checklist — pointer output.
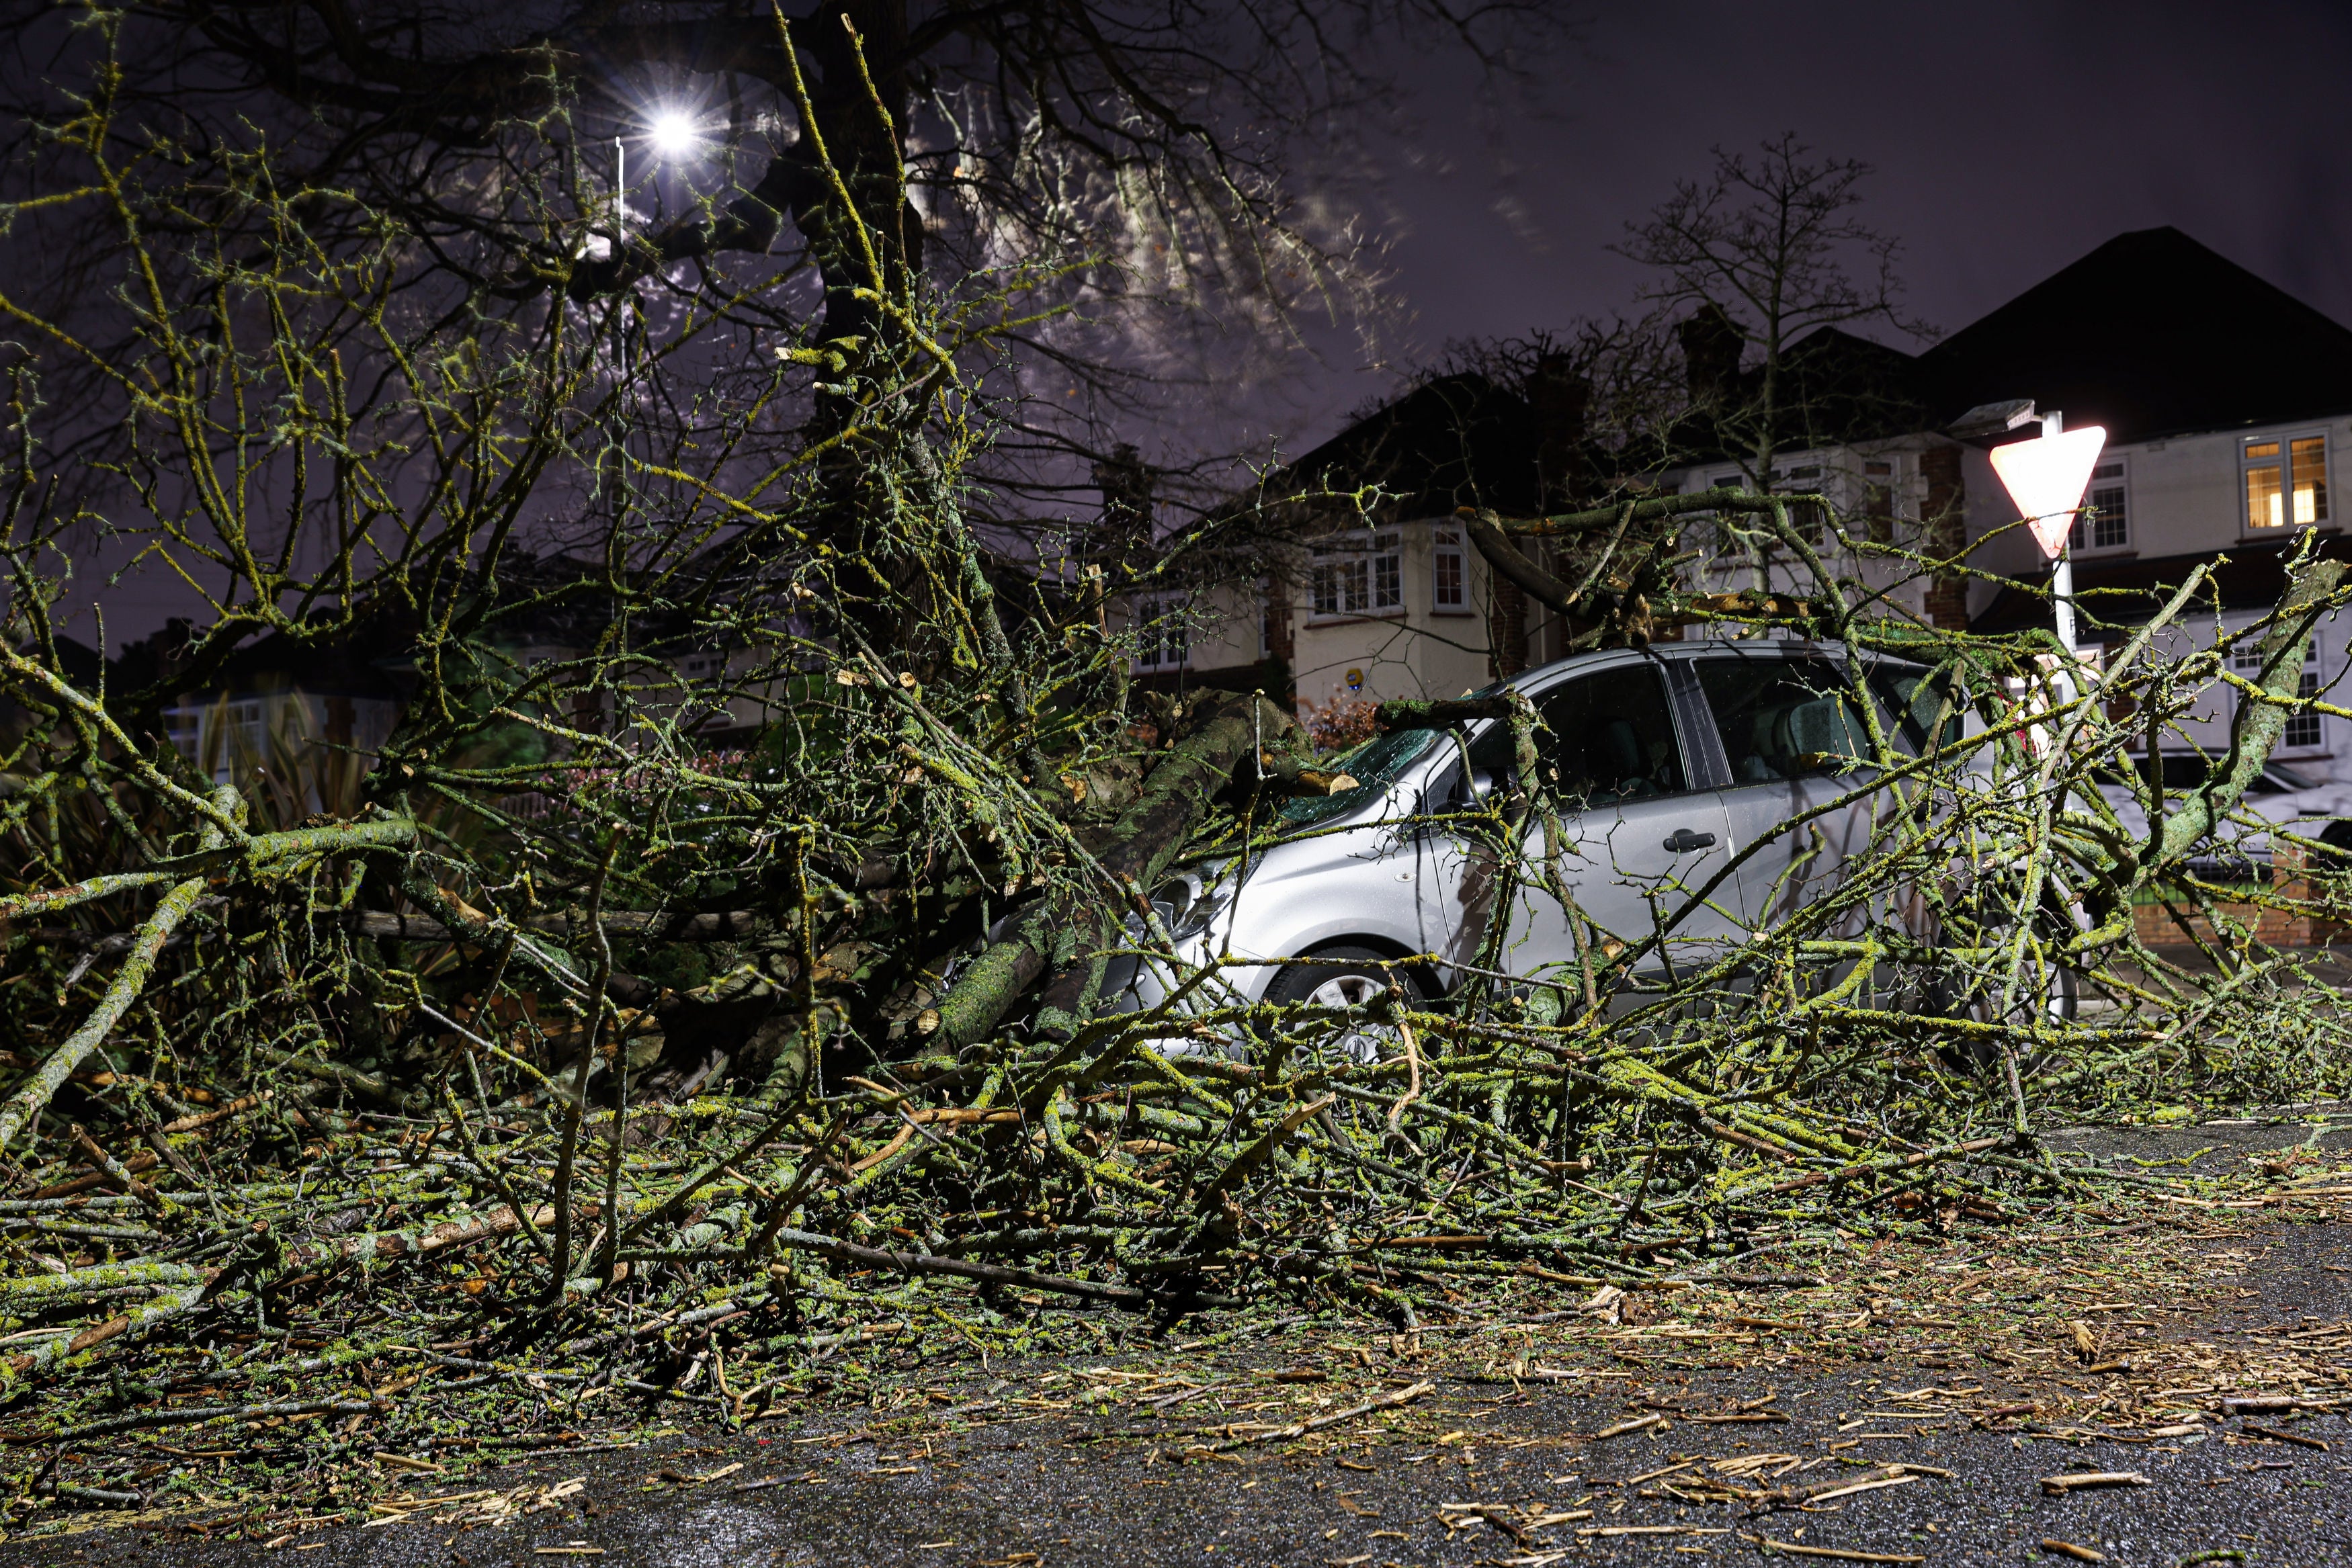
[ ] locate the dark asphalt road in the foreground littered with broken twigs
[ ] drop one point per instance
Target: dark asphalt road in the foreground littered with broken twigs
(996, 1470)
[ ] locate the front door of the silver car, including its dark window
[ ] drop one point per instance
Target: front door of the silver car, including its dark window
(1638, 843)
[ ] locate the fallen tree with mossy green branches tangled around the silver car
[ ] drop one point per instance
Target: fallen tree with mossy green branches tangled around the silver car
(559, 1012)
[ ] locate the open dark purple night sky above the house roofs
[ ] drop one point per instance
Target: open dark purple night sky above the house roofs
(2007, 140)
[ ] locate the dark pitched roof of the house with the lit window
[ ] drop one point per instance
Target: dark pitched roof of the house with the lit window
(2151, 335)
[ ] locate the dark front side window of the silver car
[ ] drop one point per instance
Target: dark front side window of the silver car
(1601, 739)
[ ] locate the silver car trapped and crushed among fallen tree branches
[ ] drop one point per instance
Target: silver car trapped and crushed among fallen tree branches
(1666, 760)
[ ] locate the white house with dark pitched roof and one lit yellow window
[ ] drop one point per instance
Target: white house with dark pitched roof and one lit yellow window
(2229, 413)
